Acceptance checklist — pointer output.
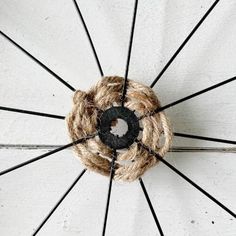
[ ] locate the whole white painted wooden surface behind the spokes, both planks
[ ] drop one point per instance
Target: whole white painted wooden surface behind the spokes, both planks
(52, 31)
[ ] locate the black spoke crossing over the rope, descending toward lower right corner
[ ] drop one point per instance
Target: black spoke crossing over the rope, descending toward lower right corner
(187, 179)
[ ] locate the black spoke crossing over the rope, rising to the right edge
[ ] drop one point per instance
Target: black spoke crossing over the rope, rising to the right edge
(190, 97)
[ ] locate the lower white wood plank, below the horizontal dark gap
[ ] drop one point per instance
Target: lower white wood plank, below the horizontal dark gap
(28, 194)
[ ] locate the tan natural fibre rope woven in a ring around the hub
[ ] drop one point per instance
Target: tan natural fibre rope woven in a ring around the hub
(96, 156)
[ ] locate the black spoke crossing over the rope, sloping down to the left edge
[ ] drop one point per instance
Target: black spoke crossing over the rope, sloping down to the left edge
(44, 155)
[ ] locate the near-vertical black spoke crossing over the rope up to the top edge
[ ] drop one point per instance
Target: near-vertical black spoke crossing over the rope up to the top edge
(129, 54)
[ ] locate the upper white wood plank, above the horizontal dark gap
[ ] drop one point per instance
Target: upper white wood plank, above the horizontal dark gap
(53, 33)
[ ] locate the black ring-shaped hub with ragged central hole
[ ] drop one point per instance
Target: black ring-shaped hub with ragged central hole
(105, 124)
